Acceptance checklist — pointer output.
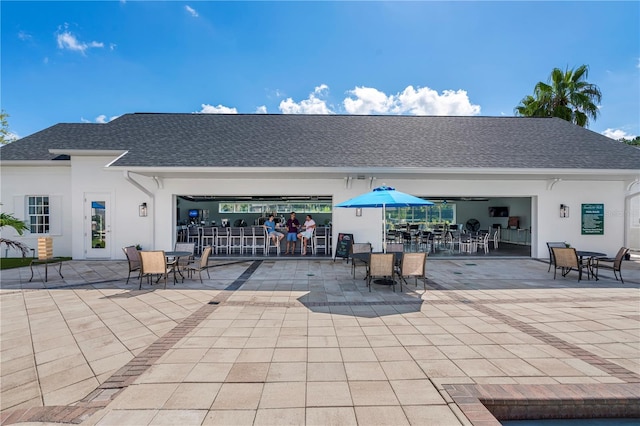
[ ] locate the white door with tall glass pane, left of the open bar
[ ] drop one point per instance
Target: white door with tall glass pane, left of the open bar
(97, 226)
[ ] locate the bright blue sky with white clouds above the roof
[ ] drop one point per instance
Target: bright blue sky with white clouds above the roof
(92, 61)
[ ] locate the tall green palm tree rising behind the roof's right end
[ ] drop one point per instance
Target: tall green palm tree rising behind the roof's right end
(567, 96)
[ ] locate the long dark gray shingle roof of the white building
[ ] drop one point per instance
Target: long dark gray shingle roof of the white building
(261, 140)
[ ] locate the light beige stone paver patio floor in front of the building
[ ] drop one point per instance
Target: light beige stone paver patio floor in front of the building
(301, 341)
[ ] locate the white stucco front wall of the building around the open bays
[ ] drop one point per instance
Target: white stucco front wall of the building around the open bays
(536, 204)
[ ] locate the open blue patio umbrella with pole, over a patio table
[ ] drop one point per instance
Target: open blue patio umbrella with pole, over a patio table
(384, 196)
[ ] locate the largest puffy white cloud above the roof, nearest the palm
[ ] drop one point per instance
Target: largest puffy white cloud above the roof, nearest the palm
(423, 101)
